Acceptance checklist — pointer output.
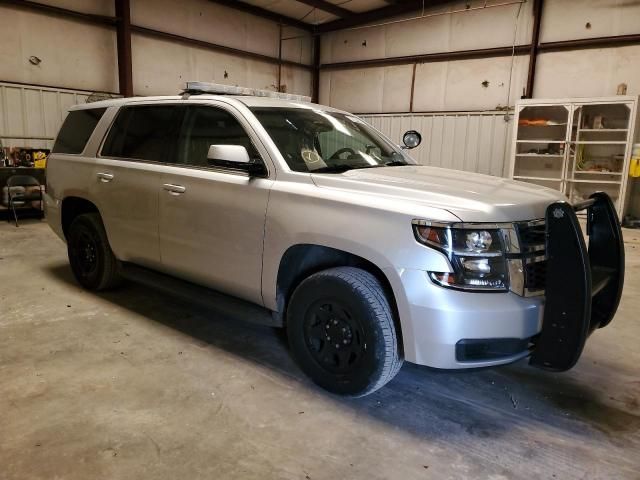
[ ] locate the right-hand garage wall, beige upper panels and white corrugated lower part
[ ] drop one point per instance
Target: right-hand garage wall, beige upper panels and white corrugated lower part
(462, 103)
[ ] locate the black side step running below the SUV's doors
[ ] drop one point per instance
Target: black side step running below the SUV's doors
(201, 296)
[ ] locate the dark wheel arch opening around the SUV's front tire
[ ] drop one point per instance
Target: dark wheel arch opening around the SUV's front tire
(302, 260)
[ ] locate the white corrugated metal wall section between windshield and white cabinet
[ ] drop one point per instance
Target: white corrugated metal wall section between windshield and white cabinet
(470, 141)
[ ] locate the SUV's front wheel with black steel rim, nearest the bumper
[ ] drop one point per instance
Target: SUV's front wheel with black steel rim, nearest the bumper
(348, 306)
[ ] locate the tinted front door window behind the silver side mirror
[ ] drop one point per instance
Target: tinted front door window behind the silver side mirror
(206, 126)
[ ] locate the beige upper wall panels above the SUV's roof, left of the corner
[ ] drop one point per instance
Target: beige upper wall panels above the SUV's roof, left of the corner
(79, 55)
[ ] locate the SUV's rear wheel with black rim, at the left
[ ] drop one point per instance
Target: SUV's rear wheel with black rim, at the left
(92, 261)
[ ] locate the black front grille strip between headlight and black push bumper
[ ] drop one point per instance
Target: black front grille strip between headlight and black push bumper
(531, 238)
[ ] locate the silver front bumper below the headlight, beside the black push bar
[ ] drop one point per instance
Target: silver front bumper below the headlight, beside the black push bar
(436, 321)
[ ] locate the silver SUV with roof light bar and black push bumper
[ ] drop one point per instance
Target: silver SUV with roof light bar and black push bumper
(305, 217)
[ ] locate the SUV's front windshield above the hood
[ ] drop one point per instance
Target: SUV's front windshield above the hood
(327, 142)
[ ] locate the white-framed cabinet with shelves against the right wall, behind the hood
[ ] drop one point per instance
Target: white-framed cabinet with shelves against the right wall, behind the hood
(561, 155)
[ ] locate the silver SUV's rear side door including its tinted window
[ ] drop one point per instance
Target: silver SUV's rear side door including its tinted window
(128, 178)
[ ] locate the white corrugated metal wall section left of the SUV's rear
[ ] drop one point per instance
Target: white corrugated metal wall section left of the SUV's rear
(31, 116)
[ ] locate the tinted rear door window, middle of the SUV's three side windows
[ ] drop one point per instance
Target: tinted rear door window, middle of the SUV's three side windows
(144, 133)
